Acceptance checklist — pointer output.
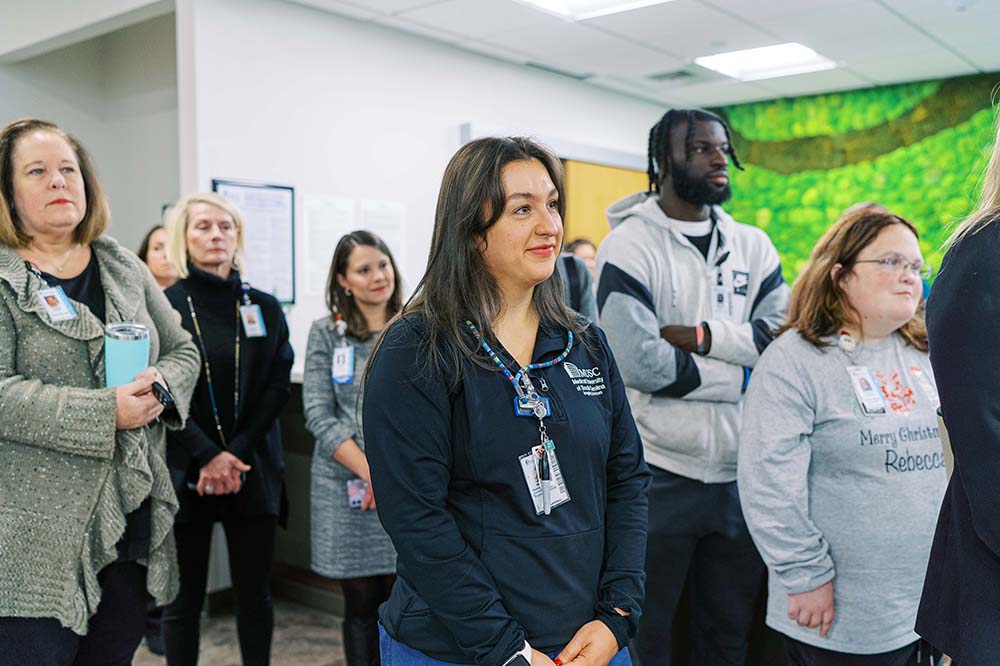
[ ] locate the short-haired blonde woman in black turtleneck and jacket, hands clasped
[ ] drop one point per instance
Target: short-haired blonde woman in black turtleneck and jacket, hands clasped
(227, 464)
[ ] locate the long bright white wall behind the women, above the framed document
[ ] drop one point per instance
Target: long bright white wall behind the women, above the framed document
(290, 95)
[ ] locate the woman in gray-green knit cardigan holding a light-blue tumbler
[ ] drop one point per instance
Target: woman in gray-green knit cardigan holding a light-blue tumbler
(87, 504)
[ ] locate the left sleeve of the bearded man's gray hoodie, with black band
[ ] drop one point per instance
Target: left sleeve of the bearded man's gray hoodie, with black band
(649, 363)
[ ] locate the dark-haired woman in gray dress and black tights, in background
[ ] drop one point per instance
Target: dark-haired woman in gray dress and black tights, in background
(348, 542)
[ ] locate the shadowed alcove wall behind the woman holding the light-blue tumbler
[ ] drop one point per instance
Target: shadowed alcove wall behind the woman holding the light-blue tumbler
(118, 95)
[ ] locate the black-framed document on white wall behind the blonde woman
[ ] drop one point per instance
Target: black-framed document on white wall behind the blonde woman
(268, 234)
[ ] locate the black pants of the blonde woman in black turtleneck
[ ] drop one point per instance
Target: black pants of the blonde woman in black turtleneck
(251, 554)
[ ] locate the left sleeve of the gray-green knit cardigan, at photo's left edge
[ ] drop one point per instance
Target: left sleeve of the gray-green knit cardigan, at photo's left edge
(67, 419)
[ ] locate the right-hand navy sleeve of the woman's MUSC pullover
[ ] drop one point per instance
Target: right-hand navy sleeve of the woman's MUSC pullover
(623, 579)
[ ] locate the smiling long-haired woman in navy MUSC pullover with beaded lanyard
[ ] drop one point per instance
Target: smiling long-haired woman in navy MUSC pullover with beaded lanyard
(506, 465)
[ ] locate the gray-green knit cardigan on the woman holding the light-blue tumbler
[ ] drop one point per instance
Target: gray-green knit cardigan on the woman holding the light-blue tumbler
(68, 478)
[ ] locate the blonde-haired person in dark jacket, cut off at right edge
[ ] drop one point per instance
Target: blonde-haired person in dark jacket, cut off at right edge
(960, 607)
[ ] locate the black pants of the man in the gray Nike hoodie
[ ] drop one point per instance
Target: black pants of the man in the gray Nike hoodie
(697, 536)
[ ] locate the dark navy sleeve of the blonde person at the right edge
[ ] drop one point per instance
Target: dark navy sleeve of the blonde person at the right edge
(963, 322)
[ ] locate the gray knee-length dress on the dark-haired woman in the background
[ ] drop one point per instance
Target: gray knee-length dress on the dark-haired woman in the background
(346, 542)
